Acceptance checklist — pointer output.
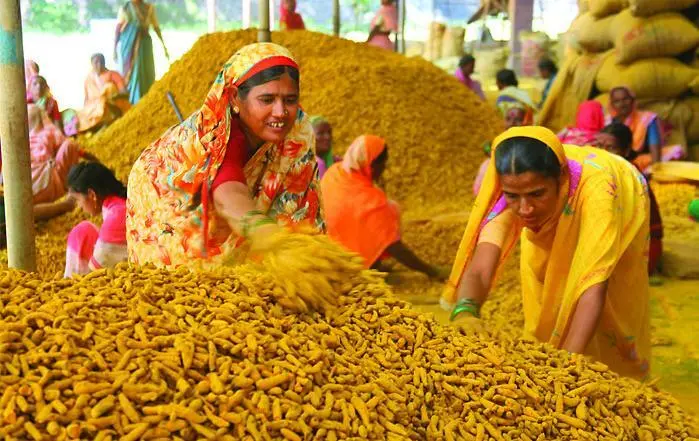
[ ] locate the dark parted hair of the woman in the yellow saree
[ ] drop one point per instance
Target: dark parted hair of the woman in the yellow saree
(521, 154)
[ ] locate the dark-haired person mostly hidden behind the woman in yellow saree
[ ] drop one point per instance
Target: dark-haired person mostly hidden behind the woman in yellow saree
(617, 138)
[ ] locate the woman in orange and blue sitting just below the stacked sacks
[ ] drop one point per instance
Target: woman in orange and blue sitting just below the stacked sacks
(647, 135)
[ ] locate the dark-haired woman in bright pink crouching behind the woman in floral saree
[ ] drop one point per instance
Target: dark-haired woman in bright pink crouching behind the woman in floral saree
(95, 190)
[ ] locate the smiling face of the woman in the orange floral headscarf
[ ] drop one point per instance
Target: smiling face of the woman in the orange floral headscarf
(269, 110)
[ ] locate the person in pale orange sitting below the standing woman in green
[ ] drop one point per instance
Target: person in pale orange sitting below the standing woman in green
(106, 97)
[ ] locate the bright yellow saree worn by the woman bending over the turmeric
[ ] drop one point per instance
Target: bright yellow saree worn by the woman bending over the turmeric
(601, 234)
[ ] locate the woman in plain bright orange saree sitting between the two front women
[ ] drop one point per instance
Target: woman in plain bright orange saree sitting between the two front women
(359, 215)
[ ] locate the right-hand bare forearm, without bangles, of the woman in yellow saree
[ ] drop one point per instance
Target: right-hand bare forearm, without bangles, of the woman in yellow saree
(586, 317)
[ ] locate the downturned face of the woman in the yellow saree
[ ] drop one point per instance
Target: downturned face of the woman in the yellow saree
(531, 196)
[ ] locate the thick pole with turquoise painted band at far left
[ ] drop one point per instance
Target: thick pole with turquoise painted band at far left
(16, 163)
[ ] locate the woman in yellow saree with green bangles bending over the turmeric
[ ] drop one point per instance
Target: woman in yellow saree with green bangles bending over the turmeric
(582, 216)
